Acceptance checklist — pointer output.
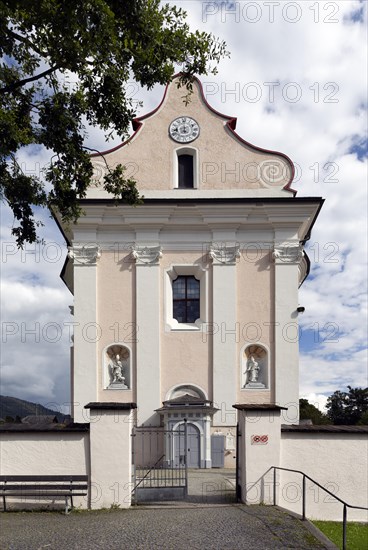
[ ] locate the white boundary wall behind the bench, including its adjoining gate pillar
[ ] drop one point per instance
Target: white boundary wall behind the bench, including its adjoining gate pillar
(101, 449)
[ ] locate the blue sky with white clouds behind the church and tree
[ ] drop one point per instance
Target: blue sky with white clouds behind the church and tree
(296, 81)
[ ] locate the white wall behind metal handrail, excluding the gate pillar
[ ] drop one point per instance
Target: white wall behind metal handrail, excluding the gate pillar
(339, 462)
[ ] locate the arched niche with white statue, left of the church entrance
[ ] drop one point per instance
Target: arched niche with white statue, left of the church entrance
(117, 371)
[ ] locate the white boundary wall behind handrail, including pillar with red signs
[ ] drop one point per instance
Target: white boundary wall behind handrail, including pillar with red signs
(336, 457)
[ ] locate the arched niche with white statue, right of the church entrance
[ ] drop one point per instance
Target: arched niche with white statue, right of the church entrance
(254, 367)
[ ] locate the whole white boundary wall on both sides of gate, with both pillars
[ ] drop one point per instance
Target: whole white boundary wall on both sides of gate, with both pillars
(335, 456)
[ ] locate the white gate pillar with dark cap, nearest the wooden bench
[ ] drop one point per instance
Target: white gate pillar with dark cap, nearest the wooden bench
(111, 454)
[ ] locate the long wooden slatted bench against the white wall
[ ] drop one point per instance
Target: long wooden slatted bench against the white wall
(65, 486)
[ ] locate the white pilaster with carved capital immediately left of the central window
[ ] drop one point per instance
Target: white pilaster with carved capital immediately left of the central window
(148, 307)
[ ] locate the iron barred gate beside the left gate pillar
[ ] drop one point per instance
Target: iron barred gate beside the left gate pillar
(160, 463)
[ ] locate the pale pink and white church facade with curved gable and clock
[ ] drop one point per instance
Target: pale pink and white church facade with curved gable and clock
(188, 303)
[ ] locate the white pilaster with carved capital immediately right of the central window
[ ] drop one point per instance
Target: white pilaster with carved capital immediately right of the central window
(225, 331)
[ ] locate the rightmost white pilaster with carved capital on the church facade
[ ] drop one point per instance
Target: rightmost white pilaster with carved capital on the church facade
(287, 257)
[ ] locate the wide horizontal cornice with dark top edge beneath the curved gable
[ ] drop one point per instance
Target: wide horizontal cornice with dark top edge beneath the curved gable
(196, 215)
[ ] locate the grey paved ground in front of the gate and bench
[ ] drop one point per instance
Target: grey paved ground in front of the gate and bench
(167, 527)
